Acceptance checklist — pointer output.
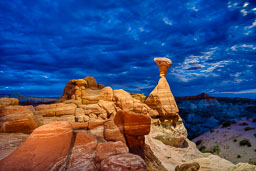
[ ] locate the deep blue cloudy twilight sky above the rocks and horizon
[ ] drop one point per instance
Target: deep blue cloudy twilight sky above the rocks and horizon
(46, 43)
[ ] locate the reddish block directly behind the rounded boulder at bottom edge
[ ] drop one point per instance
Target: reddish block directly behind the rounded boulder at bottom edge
(106, 149)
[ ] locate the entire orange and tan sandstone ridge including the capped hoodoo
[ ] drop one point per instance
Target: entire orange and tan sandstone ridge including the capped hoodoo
(98, 128)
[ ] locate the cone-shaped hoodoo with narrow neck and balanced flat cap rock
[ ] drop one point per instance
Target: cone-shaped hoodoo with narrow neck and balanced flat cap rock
(162, 100)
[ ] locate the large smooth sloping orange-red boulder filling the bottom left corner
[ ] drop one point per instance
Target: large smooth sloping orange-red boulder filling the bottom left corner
(45, 149)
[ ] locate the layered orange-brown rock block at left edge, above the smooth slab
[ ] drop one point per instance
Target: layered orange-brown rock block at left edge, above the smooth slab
(14, 119)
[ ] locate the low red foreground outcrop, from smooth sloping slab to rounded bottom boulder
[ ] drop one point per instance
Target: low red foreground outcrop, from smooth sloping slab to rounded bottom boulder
(56, 146)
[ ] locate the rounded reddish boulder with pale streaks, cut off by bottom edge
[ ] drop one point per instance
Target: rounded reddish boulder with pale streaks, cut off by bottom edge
(125, 161)
